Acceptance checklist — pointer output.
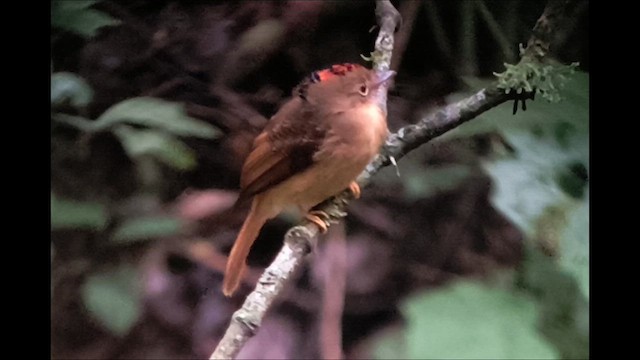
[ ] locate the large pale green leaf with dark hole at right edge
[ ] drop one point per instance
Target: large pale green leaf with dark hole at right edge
(543, 187)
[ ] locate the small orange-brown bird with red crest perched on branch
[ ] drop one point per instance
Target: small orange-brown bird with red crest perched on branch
(311, 149)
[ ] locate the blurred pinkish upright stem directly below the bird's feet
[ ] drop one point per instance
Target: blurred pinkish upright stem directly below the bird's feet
(334, 278)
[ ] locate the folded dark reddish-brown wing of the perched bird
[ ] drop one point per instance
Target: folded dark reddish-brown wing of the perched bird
(286, 147)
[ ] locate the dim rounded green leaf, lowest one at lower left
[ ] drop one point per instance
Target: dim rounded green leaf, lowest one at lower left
(113, 298)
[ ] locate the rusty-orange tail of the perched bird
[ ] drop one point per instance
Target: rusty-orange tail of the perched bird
(236, 263)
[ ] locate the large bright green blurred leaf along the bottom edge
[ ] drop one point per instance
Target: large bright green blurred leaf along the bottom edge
(470, 321)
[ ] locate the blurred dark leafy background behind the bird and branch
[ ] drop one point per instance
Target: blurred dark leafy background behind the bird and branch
(478, 249)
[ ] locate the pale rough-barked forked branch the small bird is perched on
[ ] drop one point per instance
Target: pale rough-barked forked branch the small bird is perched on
(300, 240)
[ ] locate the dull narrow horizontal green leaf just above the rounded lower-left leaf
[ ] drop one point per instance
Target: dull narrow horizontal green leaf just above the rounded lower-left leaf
(145, 228)
